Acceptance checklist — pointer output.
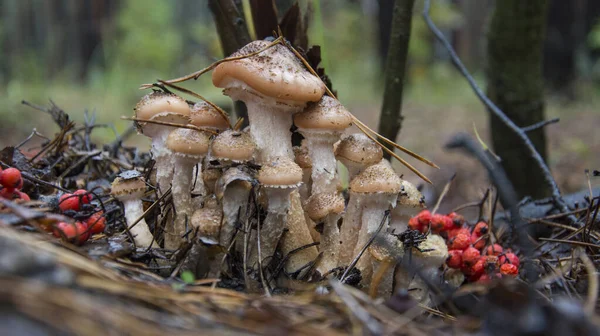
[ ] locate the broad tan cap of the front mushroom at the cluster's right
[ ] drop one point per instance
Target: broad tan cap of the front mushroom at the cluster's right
(377, 178)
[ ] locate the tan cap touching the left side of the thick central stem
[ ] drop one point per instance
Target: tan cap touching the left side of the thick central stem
(233, 145)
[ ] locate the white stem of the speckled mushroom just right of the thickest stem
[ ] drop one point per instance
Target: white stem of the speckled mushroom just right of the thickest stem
(324, 164)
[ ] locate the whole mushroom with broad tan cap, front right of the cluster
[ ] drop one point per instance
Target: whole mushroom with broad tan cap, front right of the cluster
(377, 186)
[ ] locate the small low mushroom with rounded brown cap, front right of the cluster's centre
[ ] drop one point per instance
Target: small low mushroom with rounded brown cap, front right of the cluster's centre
(327, 208)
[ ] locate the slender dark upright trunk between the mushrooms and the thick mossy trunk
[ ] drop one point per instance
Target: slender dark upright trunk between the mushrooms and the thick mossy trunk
(391, 118)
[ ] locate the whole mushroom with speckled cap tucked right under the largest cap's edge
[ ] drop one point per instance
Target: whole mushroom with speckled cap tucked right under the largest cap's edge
(321, 124)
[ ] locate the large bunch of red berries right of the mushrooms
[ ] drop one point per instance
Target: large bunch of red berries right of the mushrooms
(467, 246)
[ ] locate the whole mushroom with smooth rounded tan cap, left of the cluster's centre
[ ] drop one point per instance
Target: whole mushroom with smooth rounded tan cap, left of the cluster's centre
(189, 147)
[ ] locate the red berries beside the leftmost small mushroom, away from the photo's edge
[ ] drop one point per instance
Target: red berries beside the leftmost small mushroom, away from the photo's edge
(80, 231)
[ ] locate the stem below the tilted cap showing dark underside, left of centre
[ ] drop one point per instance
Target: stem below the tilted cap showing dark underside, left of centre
(234, 202)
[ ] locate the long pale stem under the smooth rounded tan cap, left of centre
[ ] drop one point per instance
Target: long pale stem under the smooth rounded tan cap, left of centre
(182, 180)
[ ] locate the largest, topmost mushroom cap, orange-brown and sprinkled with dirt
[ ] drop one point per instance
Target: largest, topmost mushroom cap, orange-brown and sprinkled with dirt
(275, 72)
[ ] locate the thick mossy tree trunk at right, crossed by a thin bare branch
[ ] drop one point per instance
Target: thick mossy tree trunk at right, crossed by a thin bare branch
(515, 84)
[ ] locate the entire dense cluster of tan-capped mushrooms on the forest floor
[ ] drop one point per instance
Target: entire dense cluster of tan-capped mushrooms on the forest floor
(264, 201)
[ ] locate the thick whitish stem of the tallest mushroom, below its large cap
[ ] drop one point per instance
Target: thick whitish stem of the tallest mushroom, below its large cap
(270, 122)
